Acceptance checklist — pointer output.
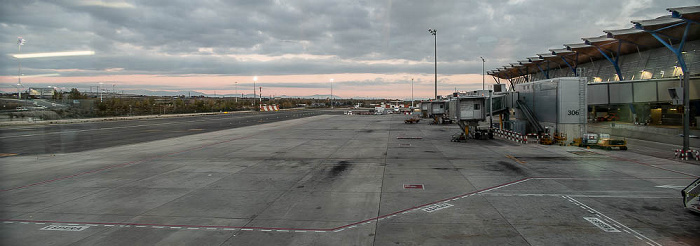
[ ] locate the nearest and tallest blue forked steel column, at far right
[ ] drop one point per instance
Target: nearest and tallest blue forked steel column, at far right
(686, 81)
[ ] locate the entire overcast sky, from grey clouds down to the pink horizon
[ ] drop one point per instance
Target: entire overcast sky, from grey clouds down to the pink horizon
(369, 48)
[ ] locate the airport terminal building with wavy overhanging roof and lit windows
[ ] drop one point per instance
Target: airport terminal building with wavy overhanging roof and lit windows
(629, 71)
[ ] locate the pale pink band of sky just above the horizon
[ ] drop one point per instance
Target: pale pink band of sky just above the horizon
(345, 85)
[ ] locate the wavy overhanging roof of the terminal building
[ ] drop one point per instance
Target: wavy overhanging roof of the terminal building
(615, 42)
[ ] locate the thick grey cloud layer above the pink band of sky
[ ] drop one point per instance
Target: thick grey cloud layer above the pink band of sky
(349, 30)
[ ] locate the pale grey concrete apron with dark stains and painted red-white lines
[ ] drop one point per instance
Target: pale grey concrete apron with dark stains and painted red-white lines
(343, 180)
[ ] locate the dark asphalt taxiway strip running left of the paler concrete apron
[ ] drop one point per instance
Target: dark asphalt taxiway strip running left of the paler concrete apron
(76, 136)
